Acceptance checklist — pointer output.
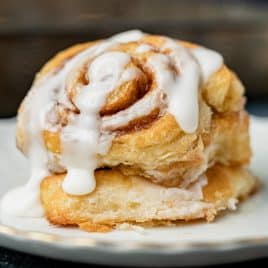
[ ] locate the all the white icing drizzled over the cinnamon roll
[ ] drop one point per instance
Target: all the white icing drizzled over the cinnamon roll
(87, 135)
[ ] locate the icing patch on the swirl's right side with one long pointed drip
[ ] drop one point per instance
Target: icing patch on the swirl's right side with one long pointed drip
(182, 85)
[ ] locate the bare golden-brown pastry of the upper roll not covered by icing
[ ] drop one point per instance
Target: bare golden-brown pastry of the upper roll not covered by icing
(155, 146)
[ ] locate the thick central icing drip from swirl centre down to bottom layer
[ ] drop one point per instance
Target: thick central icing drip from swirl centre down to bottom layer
(80, 139)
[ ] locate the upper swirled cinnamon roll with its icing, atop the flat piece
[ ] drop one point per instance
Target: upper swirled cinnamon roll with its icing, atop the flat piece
(145, 105)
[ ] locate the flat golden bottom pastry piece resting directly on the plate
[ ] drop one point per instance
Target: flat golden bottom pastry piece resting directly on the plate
(119, 199)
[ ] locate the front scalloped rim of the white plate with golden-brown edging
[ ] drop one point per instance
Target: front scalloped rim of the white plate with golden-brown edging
(86, 242)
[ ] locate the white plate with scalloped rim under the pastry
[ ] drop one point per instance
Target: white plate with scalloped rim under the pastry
(236, 236)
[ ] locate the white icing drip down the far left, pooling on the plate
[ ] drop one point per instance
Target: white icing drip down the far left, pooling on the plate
(24, 201)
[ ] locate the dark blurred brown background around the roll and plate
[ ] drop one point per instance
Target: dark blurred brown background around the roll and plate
(32, 31)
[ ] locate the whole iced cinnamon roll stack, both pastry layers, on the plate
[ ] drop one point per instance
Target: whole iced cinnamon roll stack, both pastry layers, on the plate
(136, 128)
